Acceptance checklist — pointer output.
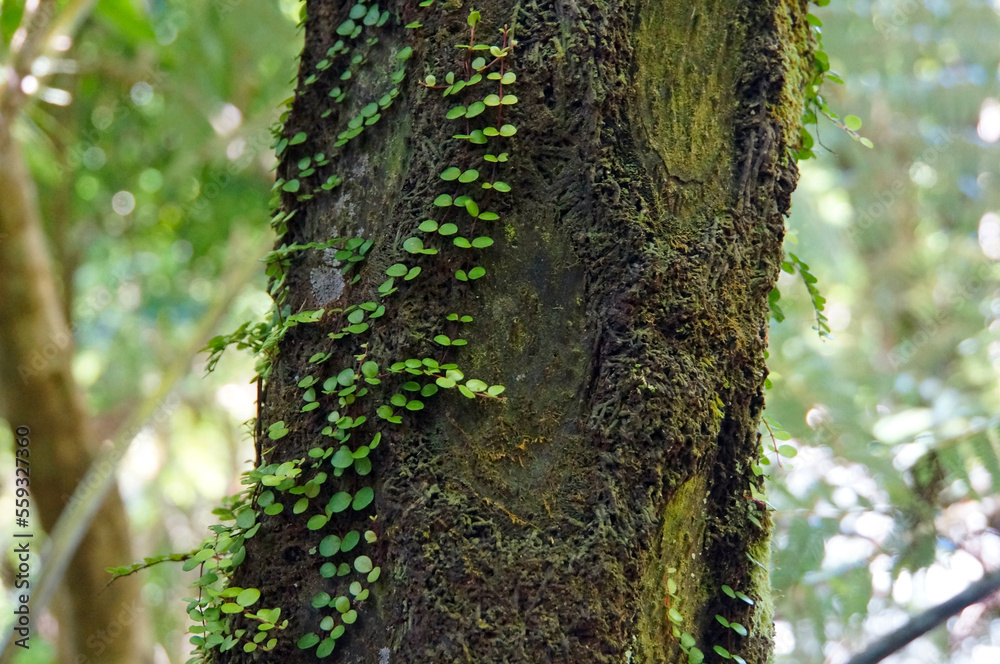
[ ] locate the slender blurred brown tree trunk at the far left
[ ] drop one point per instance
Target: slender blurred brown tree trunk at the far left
(37, 390)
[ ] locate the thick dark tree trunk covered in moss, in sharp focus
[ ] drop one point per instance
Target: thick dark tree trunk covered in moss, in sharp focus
(624, 307)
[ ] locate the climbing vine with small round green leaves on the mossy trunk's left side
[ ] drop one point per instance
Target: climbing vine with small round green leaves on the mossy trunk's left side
(334, 478)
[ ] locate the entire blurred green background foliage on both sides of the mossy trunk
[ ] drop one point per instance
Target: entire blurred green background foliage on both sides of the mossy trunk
(149, 144)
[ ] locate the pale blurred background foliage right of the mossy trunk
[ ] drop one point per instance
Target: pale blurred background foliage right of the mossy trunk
(891, 506)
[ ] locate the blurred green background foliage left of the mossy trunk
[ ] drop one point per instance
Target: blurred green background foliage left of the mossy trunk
(148, 139)
